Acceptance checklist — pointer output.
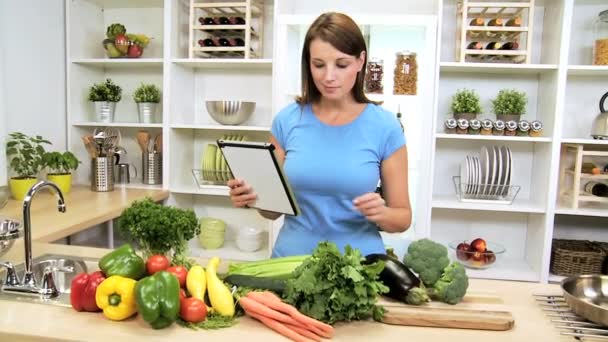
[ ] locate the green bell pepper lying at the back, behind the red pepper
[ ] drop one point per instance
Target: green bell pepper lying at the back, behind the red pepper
(124, 262)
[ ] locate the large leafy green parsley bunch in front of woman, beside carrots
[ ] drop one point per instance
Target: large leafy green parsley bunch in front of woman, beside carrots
(332, 287)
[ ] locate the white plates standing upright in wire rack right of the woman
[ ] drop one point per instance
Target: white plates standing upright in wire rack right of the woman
(488, 175)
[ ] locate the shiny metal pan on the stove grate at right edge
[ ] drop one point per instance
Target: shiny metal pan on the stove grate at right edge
(587, 296)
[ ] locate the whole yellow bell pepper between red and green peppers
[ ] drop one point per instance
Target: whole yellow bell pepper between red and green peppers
(116, 297)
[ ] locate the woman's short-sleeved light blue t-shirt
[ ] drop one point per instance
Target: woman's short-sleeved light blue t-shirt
(327, 167)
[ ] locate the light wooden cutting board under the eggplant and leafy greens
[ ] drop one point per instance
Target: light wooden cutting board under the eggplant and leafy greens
(481, 311)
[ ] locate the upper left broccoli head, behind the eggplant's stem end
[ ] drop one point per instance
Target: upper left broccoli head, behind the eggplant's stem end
(428, 259)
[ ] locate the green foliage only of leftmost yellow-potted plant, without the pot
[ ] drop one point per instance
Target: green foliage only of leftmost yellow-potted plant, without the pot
(25, 154)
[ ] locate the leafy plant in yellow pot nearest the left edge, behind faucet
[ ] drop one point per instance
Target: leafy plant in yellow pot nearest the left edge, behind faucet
(24, 155)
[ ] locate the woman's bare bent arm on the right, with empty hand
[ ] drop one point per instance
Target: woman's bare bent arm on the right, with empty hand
(394, 213)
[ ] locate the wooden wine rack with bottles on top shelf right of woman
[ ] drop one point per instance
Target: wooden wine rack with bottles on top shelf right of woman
(494, 32)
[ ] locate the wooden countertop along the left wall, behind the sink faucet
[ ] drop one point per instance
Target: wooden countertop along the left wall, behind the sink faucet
(85, 208)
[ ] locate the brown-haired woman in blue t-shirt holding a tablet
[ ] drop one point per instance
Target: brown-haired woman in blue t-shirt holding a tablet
(335, 144)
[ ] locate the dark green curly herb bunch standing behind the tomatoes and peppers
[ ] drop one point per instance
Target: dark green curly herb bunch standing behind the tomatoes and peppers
(159, 229)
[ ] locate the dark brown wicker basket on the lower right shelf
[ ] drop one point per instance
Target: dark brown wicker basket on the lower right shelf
(574, 257)
